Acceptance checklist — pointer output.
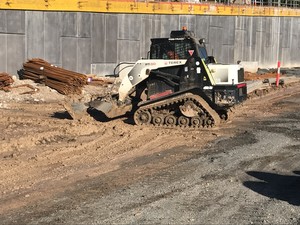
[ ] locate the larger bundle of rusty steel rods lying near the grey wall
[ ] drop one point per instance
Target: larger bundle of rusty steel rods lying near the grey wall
(64, 81)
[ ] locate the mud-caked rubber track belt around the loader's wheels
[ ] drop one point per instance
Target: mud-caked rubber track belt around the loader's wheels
(200, 102)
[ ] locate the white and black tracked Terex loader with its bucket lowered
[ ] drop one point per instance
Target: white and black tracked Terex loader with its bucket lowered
(177, 85)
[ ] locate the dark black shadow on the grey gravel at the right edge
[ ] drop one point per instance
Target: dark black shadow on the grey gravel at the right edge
(281, 187)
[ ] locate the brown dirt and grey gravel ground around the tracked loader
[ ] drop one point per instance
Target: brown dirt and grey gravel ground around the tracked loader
(53, 169)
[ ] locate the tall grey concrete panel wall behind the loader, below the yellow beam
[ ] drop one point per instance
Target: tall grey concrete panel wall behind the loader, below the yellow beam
(96, 42)
